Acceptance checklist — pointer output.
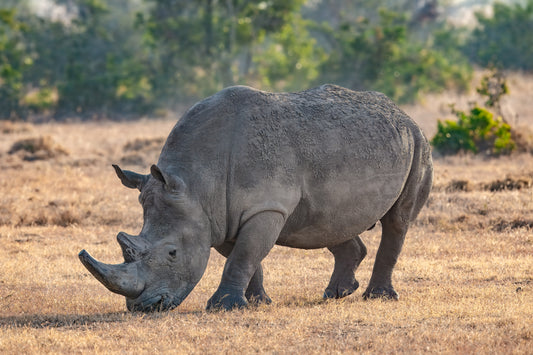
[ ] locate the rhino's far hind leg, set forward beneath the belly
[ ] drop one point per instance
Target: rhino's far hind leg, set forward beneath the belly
(348, 256)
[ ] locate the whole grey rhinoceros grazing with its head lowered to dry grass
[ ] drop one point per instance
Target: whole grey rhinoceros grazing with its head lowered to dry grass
(245, 169)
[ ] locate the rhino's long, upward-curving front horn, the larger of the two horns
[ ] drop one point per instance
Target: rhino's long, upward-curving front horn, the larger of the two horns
(121, 278)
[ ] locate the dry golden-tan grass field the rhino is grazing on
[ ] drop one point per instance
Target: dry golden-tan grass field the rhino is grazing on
(465, 276)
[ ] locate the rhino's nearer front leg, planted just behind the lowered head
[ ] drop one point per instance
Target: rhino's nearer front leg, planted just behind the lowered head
(254, 241)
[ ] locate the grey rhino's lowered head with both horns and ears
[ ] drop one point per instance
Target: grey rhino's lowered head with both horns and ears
(167, 259)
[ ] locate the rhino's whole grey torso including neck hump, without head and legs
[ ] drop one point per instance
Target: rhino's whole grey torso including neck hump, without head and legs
(331, 160)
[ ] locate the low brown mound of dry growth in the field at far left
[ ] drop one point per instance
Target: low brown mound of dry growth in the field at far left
(38, 148)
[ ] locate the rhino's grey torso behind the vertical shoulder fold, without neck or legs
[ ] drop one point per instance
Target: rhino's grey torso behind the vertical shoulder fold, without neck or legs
(332, 160)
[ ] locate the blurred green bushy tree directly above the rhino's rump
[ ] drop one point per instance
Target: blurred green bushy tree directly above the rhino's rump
(382, 56)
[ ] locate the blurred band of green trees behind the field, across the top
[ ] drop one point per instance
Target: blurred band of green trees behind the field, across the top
(129, 58)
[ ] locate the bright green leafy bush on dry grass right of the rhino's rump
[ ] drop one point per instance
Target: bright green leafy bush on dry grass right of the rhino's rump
(476, 131)
